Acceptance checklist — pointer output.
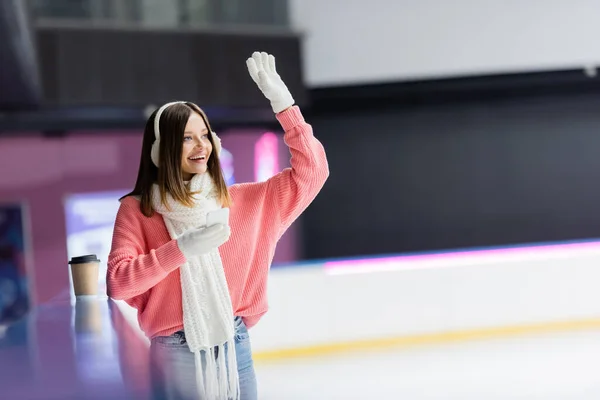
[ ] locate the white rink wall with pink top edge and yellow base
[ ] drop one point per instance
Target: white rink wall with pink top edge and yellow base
(337, 306)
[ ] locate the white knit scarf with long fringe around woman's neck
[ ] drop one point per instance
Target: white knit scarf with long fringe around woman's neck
(207, 311)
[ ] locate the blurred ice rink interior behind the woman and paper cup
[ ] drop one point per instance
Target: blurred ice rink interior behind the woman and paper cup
(462, 140)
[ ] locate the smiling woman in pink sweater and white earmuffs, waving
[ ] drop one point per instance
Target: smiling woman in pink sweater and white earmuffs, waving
(198, 289)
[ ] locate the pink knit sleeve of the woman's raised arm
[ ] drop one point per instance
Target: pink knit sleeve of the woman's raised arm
(296, 187)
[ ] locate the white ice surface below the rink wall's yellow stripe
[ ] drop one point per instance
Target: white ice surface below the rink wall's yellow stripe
(554, 366)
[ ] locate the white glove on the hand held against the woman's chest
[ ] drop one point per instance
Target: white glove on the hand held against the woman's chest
(203, 240)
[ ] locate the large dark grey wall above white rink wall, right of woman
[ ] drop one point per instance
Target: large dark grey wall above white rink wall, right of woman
(482, 172)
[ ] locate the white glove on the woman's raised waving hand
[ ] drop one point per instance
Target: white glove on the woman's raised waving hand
(262, 70)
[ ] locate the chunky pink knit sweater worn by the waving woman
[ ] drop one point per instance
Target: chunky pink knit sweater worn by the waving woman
(143, 265)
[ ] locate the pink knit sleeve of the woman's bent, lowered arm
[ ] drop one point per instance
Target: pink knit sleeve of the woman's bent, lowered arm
(132, 268)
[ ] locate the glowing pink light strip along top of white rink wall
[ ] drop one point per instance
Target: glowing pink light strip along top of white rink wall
(464, 258)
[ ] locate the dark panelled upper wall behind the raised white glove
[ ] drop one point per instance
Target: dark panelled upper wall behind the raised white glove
(85, 66)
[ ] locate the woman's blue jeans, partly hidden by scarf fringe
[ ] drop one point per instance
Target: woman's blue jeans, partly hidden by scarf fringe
(173, 369)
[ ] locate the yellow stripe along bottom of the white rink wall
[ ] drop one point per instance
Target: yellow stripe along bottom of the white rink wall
(426, 339)
